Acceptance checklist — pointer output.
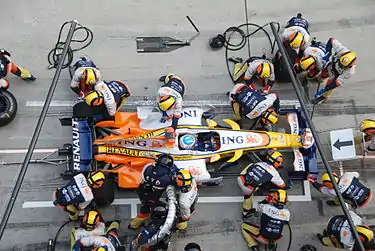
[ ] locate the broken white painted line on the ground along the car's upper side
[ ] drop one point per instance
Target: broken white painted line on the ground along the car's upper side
(142, 102)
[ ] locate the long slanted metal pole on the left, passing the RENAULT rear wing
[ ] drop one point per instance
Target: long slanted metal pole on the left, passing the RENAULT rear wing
(34, 139)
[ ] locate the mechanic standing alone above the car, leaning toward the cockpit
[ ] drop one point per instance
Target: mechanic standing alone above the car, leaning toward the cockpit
(170, 97)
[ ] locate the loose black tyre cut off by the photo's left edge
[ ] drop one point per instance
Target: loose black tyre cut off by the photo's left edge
(8, 107)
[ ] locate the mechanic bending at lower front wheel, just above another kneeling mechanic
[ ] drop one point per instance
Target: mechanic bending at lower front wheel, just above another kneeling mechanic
(258, 174)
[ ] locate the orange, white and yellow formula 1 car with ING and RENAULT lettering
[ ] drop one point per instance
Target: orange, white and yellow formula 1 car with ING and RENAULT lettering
(124, 146)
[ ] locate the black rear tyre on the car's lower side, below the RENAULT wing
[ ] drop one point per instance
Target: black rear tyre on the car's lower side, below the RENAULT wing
(105, 195)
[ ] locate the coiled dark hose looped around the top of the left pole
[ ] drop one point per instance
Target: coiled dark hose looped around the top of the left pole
(55, 53)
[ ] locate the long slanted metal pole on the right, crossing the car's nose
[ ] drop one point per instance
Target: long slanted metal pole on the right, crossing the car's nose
(296, 84)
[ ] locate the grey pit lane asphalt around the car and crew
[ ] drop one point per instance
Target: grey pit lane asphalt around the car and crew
(32, 30)
